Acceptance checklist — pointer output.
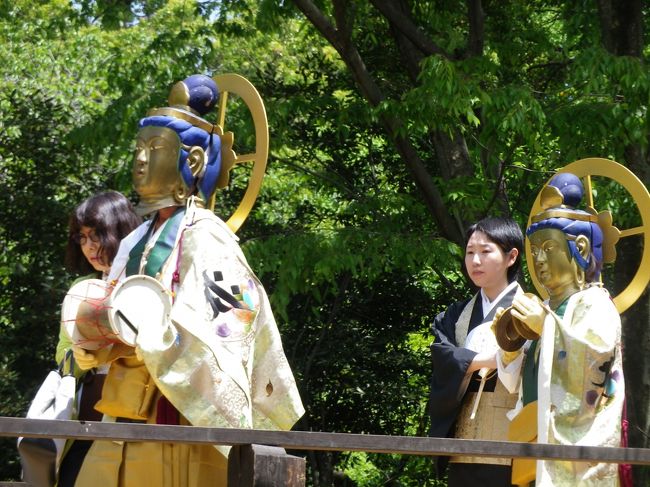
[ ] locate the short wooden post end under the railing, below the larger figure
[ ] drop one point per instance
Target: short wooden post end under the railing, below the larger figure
(264, 466)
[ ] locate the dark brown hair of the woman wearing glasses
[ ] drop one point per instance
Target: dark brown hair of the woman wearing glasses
(111, 215)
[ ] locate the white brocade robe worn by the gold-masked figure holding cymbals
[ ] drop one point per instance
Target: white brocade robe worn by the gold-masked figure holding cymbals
(581, 387)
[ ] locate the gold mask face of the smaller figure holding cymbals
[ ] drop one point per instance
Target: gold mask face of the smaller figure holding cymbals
(554, 267)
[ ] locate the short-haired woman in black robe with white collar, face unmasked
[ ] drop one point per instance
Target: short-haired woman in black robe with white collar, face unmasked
(492, 260)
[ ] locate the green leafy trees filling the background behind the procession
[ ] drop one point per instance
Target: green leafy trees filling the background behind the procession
(394, 124)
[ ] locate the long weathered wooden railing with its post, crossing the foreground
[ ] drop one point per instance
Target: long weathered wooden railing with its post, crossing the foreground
(257, 451)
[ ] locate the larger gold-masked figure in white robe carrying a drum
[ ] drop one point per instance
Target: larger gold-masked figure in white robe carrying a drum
(217, 360)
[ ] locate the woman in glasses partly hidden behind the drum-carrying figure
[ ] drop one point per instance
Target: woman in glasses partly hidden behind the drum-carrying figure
(95, 230)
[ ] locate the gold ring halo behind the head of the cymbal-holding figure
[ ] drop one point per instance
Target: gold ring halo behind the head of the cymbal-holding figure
(595, 166)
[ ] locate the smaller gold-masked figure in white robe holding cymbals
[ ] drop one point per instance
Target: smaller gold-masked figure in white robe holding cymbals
(573, 373)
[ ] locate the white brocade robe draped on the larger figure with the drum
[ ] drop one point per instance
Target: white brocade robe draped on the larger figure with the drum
(227, 370)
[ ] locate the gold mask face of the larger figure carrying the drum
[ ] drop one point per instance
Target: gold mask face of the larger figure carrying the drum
(155, 165)
